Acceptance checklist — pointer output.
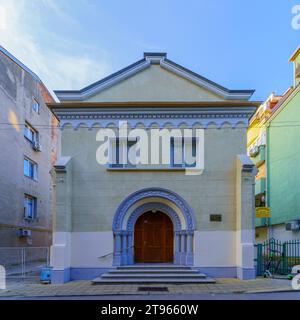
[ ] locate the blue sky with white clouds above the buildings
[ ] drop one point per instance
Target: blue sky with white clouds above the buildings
(239, 44)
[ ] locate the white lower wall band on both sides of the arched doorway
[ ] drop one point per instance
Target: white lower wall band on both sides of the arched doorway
(212, 249)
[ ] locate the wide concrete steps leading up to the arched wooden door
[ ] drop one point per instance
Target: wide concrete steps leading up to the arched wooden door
(142, 274)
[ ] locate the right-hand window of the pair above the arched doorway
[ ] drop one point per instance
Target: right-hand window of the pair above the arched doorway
(183, 152)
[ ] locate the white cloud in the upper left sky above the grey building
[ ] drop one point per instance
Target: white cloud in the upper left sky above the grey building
(58, 69)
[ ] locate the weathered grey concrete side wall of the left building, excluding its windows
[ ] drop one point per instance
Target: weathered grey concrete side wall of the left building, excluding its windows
(17, 92)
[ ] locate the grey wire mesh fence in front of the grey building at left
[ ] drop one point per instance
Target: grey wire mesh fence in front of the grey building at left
(24, 262)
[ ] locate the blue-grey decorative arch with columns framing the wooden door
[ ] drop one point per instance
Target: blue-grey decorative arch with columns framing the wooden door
(183, 239)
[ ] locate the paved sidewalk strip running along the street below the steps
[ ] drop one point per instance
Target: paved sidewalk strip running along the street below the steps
(27, 288)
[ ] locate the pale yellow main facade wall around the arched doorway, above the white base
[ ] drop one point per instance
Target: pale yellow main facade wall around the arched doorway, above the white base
(96, 192)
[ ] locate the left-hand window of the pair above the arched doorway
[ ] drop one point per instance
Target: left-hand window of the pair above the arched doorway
(119, 155)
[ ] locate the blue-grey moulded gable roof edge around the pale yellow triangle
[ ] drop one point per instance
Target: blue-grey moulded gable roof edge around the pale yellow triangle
(152, 58)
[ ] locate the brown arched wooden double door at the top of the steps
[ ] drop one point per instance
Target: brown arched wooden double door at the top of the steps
(153, 238)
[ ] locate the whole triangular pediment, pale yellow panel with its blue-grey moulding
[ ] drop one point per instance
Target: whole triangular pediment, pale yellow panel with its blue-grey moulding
(154, 78)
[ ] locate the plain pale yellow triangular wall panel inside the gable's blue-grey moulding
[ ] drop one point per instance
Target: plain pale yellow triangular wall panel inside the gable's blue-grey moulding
(155, 84)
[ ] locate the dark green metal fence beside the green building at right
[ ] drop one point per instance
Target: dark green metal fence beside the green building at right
(277, 256)
